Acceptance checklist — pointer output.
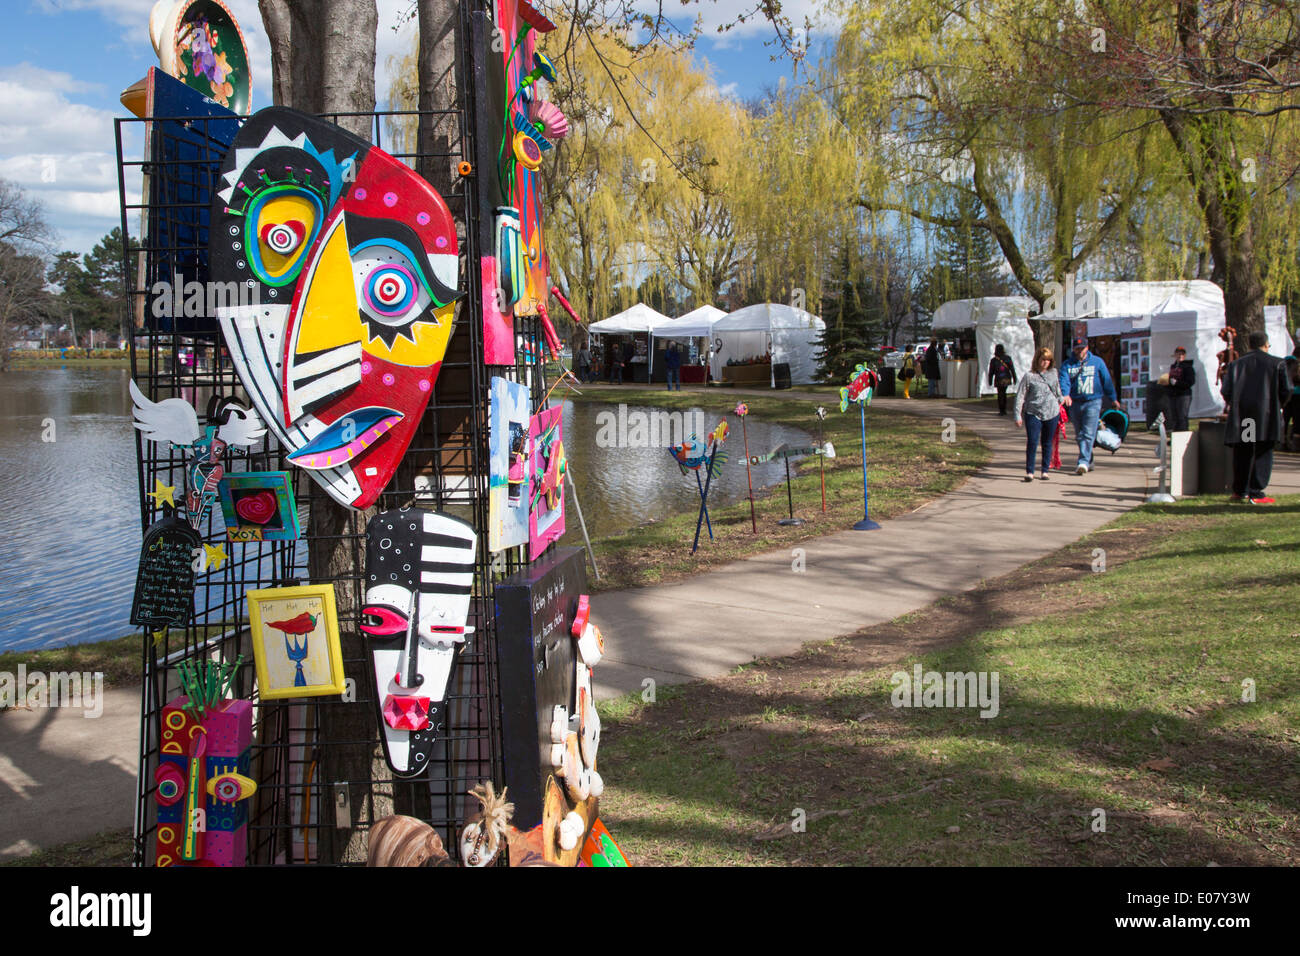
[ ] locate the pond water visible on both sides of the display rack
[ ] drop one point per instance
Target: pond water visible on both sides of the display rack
(72, 513)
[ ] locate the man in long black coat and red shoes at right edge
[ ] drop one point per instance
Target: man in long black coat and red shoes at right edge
(1254, 390)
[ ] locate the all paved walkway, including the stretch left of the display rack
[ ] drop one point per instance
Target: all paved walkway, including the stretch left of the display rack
(66, 777)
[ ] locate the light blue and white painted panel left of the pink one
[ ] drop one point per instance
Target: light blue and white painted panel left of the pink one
(510, 479)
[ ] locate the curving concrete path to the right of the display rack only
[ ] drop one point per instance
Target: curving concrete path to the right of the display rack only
(761, 607)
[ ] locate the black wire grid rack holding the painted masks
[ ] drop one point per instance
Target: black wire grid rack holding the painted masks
(318, 762)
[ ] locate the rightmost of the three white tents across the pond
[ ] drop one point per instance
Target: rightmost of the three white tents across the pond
(791, 334)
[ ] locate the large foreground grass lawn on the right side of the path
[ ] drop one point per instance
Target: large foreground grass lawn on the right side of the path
(1120, 691)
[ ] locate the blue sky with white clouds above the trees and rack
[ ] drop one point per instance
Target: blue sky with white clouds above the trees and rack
(66, 63)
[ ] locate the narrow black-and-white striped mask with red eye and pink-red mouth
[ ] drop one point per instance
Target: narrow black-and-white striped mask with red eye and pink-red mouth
(419, 578)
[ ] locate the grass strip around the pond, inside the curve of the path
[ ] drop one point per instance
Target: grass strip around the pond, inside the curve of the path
(908, 465)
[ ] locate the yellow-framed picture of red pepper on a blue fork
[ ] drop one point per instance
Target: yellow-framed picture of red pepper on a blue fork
(283, 624)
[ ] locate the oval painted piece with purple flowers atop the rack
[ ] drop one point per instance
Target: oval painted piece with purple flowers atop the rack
(201, 44)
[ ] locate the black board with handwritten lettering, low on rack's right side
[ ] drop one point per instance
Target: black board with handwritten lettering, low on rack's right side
(536, 660)
